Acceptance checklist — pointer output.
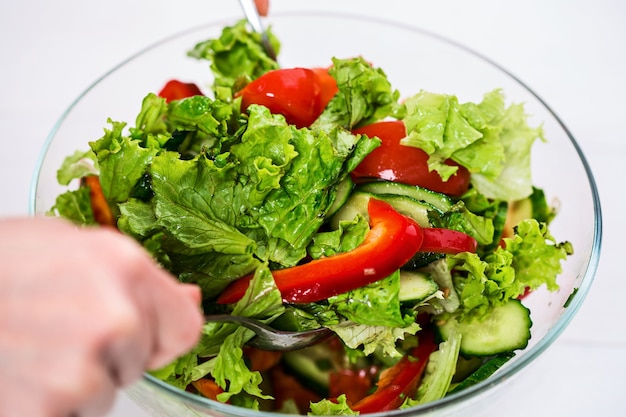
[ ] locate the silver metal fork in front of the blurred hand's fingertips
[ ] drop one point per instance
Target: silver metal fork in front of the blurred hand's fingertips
(268, 338)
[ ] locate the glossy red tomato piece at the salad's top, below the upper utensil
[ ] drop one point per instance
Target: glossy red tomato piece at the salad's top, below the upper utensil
(299, 94)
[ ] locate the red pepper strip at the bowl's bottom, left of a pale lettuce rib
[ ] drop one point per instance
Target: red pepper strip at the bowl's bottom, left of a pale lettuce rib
(401, 380)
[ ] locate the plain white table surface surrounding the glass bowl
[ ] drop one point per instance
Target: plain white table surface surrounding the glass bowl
(572, 52)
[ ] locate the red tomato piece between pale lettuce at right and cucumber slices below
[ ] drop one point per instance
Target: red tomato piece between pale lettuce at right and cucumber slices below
(407, 164)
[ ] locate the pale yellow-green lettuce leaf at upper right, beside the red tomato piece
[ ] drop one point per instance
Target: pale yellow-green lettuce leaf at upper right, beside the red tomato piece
(491, 140)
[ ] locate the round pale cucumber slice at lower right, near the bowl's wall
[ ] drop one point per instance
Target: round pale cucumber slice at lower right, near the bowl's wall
(506, 328)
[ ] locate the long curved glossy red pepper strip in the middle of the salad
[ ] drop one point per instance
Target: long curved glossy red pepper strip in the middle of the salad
(392, 241)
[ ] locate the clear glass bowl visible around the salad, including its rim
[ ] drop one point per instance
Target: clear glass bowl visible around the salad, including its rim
(413, 60)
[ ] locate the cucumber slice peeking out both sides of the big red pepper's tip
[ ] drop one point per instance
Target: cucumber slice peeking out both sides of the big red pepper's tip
(358, 201)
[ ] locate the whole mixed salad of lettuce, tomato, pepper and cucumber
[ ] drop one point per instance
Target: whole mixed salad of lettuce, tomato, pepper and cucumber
(407, 222)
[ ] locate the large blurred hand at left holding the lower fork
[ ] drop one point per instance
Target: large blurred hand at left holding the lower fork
(83, 312)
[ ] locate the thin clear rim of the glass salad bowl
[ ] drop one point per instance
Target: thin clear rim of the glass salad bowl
(574, 303)
